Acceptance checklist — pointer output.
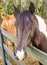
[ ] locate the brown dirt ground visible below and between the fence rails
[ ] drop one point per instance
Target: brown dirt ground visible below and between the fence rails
(30, 60)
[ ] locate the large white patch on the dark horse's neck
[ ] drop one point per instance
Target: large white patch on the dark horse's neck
(42, 25)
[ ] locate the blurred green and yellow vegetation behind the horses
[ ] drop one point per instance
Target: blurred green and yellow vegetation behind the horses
(7, 8)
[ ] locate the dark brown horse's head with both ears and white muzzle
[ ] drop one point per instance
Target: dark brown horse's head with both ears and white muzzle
(26, 26)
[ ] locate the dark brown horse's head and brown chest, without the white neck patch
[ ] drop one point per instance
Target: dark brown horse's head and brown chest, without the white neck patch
(28, 31)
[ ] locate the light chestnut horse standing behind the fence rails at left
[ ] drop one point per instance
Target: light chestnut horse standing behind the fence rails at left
(8, 24)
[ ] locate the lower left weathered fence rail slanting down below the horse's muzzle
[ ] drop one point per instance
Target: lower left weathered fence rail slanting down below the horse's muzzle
(10, 53)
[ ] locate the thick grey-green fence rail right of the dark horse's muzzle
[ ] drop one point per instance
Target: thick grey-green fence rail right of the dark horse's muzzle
(39, 55)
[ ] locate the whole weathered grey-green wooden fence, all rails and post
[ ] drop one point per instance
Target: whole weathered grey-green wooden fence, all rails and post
(39, 55)
